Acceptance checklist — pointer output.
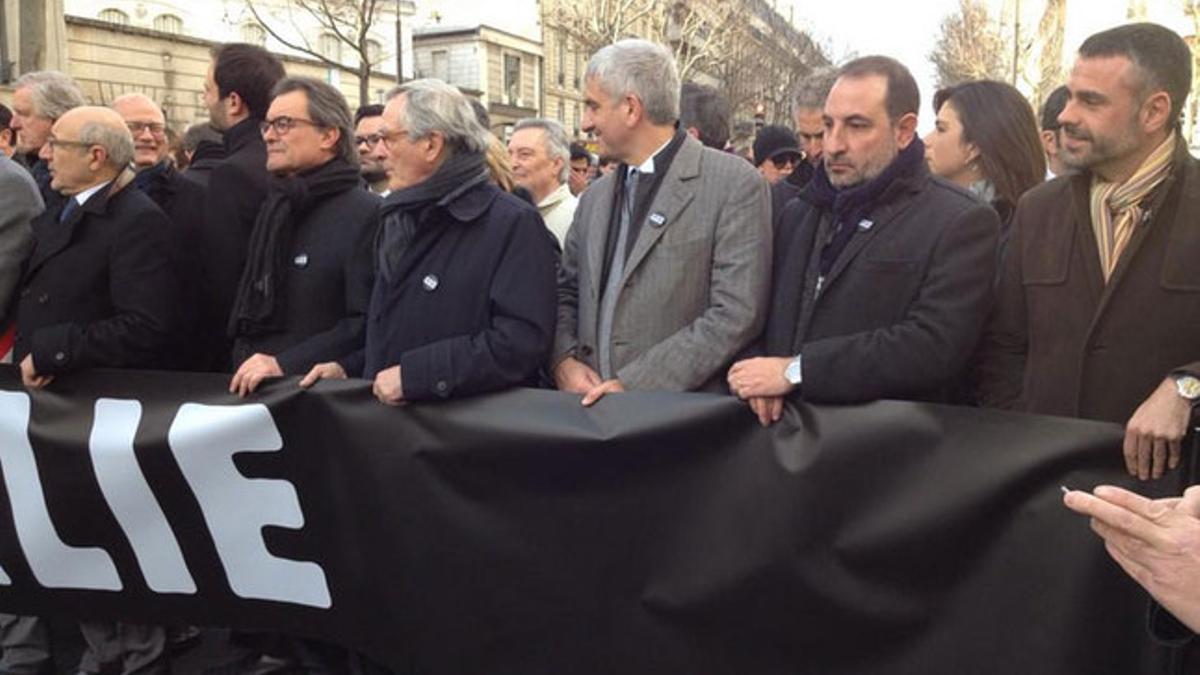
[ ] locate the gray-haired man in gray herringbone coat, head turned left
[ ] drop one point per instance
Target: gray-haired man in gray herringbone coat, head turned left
(667, 268)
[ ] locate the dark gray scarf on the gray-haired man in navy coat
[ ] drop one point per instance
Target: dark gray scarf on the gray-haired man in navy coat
(401, 210)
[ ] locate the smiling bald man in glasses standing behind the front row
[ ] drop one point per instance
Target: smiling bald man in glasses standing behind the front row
(184, 202)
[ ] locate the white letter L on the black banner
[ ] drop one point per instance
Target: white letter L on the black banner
(55, 564)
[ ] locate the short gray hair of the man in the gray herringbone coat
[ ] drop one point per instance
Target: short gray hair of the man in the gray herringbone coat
(641, 69)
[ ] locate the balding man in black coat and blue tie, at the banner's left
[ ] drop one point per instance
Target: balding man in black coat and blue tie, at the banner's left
(98, 292)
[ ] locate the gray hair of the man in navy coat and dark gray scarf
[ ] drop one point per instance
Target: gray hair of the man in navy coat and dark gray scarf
(434, 106)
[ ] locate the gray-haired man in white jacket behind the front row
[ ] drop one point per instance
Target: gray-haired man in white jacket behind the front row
(541, 154)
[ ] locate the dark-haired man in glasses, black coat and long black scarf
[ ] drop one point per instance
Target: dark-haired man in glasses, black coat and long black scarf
(303, 297)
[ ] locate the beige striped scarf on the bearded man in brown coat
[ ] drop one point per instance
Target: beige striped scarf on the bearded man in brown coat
(1117, 207)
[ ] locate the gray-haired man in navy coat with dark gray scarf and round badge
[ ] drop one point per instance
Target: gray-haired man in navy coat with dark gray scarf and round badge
(465, 296)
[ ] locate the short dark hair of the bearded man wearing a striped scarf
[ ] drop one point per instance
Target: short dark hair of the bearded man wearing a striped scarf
(1160, 53)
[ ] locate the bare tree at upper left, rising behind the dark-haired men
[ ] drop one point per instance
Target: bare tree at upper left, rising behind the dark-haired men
(349, 21)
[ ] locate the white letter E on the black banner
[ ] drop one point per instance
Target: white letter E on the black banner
(205, 440)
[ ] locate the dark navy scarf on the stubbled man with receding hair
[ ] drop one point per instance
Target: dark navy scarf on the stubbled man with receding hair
(853, 205)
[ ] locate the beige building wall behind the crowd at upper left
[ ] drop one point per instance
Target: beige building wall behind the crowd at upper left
(109, 61)
